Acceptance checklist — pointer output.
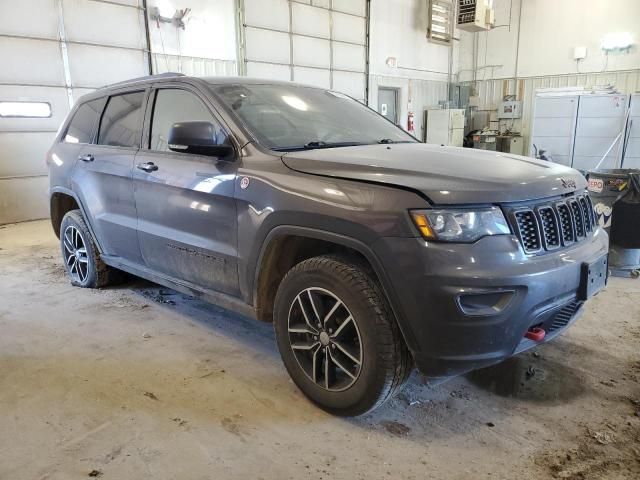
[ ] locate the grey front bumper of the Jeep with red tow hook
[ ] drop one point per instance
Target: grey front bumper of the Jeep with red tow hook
(429, 279)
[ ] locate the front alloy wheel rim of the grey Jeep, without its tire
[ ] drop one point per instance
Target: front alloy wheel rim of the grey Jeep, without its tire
(325, 339)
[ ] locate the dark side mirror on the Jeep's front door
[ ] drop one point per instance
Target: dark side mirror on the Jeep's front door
(200, 138)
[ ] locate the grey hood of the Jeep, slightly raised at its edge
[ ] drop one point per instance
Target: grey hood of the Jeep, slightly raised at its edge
(446, 175)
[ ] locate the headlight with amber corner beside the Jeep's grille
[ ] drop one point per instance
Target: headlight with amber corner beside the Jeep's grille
(460, 225)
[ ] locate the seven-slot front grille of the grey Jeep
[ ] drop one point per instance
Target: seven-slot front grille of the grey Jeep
(548, 226)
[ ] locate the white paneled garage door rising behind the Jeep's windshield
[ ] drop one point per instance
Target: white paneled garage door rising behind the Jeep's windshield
(317, 42)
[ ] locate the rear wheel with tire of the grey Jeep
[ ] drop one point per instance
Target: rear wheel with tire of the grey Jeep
(81, 258)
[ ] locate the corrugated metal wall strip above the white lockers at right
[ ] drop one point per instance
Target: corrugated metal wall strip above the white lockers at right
(490, 92)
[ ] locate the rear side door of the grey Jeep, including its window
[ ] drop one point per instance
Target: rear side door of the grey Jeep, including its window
(102, 176)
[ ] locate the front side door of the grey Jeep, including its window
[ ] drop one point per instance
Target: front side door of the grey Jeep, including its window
(187, 223)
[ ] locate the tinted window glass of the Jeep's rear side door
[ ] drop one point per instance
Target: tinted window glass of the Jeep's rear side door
(121, 123)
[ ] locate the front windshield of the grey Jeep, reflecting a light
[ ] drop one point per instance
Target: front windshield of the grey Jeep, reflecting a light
(288, 117)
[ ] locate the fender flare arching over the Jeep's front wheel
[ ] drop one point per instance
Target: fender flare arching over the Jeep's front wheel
(346, 241)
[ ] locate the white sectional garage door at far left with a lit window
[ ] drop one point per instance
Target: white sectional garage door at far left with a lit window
(54, 51)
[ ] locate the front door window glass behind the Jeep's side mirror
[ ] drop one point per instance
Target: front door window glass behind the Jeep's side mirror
(176, 106)
